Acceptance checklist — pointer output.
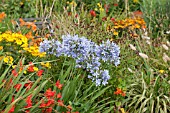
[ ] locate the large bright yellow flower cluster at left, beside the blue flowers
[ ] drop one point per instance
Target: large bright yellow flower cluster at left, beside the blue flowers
(22, 41)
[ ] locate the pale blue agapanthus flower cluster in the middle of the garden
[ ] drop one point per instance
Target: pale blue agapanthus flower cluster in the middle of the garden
(87, 54)
